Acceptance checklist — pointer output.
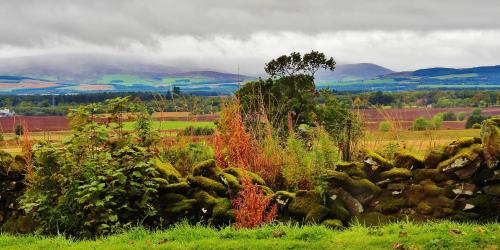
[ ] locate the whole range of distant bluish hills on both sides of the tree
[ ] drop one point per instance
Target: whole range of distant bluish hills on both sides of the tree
(69, 74)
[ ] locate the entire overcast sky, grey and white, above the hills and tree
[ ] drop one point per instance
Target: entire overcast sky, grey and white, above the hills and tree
(227, 34)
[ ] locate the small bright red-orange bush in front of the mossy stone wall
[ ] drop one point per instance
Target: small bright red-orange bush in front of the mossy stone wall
(252, 207)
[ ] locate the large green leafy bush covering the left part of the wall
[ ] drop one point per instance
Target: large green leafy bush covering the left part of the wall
(100, 180)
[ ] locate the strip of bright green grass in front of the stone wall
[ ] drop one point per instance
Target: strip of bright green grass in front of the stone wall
(432, 235)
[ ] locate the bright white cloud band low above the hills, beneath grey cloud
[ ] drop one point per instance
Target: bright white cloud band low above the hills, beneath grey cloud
(398, 50)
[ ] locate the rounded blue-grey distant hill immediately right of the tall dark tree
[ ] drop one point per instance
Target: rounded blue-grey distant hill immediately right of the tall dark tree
(351, 72)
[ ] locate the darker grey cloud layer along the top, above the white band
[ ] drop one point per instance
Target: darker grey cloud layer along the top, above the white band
(112, 21)
